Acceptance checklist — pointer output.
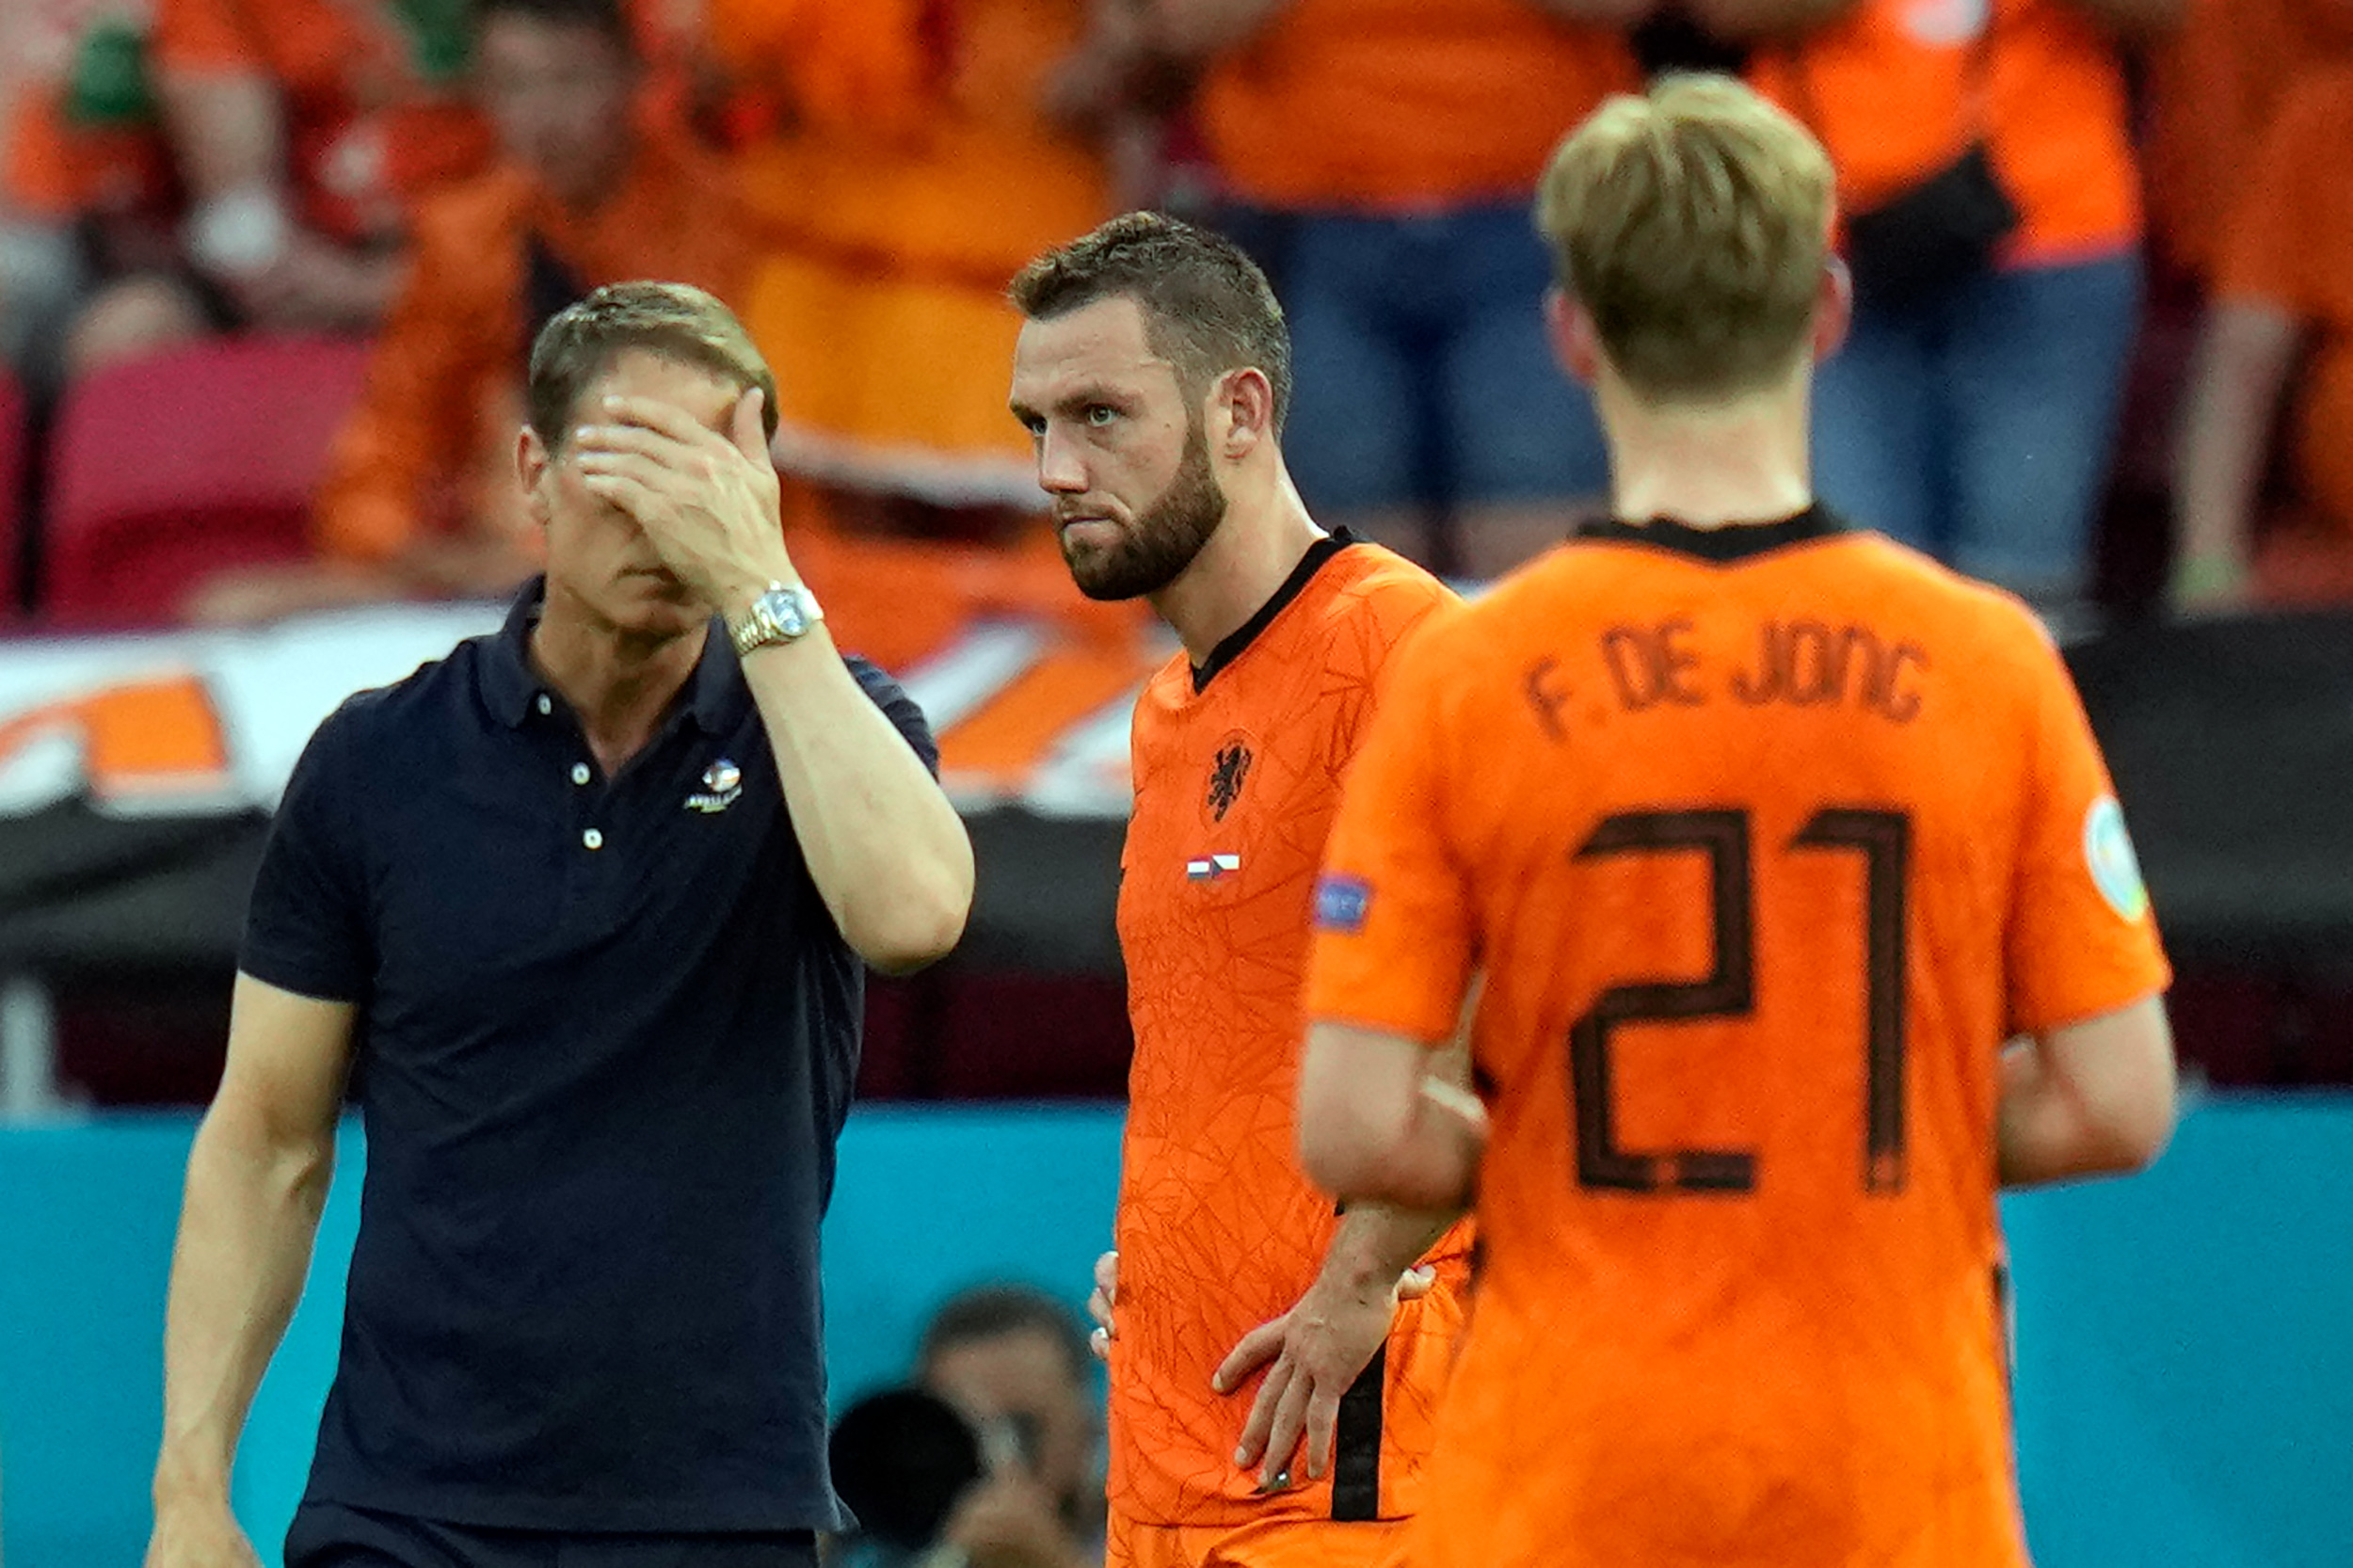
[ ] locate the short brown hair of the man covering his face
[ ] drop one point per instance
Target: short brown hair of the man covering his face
(674, 321)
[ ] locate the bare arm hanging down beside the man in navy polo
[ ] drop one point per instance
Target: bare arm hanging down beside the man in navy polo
(258, 1181)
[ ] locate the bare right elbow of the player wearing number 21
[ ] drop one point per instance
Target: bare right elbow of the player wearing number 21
(2093, 1098)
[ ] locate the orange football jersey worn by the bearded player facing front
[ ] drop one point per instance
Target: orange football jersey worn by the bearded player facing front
(1220, 1230)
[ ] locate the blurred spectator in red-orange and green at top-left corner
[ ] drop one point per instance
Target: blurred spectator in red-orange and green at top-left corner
(84, 173)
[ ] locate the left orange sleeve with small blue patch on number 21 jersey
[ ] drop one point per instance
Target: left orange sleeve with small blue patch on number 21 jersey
(1394, 908)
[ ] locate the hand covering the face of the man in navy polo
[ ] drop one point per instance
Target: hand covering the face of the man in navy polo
(709, 503)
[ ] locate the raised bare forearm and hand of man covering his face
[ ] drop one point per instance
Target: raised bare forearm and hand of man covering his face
(884, 844)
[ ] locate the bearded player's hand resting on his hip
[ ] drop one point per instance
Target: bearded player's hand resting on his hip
(1319, 1350)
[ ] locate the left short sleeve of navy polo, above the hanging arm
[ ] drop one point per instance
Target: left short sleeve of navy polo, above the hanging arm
(307, 926)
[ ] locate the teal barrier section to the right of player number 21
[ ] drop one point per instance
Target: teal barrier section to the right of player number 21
(2185, 1367)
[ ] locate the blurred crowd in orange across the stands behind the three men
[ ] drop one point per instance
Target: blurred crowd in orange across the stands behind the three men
(2105, 279)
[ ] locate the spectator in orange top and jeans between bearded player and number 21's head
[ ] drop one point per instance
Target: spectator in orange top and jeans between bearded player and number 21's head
(1380, 159)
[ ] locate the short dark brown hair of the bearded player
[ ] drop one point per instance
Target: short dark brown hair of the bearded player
(1206, 305)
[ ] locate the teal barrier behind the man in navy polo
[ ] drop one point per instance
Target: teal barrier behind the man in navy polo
(928, 1202)
